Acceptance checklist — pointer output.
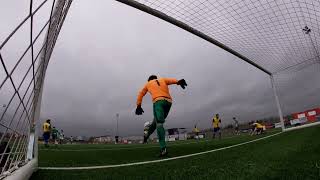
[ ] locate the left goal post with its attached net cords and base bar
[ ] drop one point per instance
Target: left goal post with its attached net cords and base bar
(28, 162)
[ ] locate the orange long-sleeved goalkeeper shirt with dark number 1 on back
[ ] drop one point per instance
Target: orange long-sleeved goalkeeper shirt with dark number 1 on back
(158, 88)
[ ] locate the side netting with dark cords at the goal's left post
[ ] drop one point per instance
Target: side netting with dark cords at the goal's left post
(25, 51)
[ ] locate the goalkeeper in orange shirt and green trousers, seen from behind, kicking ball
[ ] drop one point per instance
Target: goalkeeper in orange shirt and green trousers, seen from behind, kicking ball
(159, 90)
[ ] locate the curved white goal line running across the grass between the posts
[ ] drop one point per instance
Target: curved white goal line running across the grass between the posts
(156, 161)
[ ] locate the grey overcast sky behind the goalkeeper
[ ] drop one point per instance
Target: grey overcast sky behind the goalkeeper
(105, 53)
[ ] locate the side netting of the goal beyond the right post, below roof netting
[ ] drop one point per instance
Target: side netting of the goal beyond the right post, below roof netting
(298, 89)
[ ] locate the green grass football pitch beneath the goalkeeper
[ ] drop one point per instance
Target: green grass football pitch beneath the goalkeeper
(290, 155)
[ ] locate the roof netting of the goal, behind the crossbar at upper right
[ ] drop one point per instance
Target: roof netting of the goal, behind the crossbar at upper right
(269, 33)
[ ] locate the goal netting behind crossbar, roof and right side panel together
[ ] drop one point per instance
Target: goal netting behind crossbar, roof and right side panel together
(281, 38)
